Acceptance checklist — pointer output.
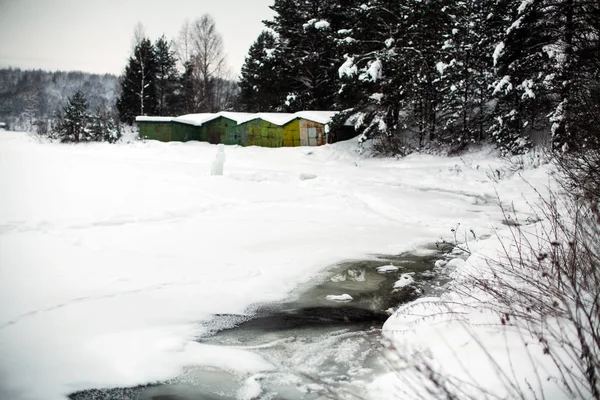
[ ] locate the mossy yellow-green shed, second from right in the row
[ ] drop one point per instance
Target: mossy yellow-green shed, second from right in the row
(264, 129)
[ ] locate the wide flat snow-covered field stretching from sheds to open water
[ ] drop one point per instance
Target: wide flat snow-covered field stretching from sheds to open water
(112, 255)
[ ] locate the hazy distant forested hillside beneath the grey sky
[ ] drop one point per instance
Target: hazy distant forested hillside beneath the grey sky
(33, 97)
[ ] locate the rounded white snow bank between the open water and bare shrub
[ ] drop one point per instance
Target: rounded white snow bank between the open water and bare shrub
(459, 336)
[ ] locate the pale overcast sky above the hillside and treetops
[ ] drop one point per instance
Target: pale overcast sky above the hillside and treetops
(95, 35)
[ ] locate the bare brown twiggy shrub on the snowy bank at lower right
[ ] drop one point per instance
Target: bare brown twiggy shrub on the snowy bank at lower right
(544, 288)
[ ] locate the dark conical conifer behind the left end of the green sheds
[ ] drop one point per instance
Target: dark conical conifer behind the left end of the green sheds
(138, 85)
